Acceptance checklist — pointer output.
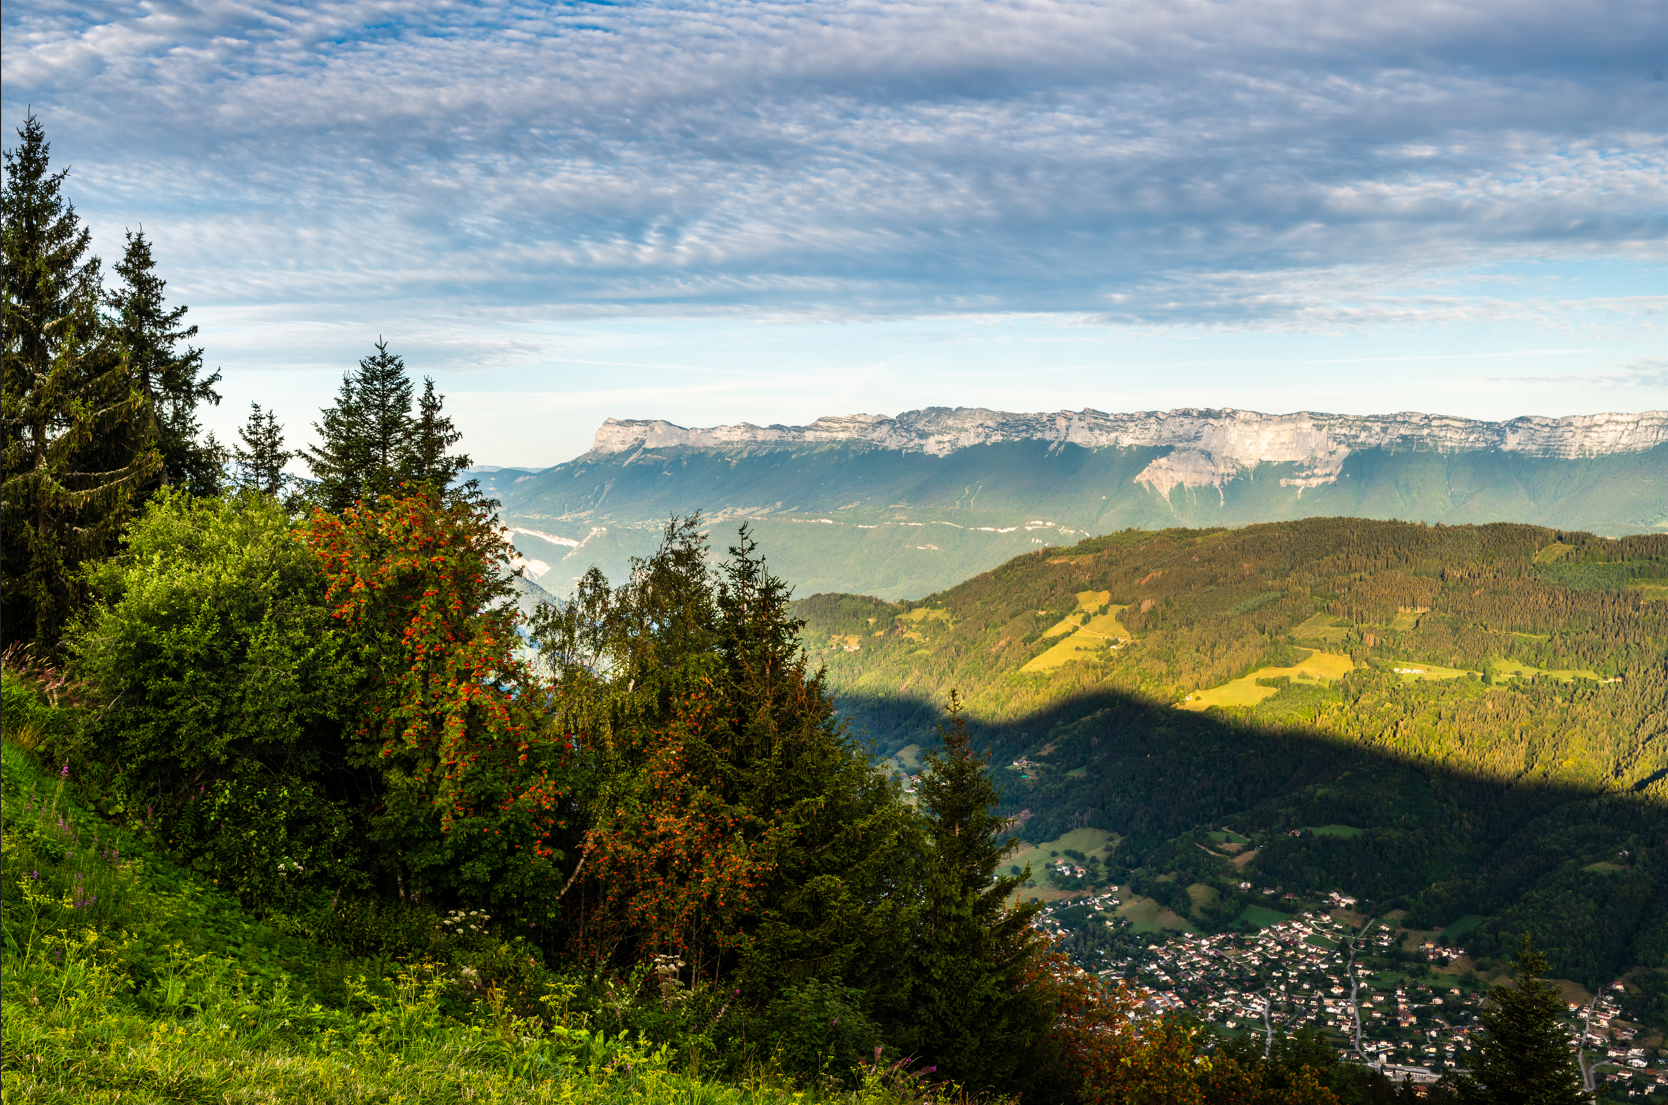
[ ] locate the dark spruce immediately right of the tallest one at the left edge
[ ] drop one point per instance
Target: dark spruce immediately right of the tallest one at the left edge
(149, 335)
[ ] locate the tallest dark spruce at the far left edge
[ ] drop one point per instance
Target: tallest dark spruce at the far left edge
(78, 450)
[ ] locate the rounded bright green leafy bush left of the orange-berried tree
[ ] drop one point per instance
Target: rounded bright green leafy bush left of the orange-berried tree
(224, 694)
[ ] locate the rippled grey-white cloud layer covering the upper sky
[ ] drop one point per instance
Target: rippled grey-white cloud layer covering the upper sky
(1150, 164)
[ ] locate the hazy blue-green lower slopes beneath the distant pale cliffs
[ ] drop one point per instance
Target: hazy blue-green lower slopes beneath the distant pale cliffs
(907, 525)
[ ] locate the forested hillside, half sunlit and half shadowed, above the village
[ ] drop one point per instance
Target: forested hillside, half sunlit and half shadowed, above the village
(1487, 704)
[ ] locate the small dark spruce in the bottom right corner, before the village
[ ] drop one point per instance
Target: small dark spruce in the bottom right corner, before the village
(1524, 1052)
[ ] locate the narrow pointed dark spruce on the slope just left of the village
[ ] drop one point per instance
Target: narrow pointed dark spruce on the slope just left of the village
(972, 1009)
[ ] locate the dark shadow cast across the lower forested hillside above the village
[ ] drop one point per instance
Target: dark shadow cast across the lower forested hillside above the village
(1439, 842)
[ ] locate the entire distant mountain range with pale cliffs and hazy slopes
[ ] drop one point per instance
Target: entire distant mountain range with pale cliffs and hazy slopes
(910, 505)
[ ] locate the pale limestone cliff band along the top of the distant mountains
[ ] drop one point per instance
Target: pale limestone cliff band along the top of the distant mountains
(1208, 448)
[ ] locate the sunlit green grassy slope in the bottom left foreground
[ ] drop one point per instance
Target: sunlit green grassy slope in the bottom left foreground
(131, 981)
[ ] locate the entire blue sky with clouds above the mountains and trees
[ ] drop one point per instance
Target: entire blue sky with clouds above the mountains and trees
(721, 213)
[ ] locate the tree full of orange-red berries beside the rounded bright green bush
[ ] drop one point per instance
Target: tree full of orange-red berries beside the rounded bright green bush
(473, 794)
